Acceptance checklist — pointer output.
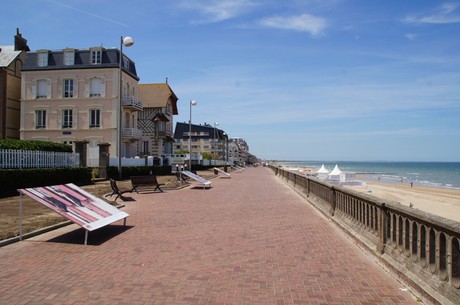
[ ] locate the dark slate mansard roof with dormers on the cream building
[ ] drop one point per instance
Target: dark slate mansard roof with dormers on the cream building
(110, 59)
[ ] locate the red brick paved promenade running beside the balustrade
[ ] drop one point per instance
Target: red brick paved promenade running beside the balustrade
(247, 240)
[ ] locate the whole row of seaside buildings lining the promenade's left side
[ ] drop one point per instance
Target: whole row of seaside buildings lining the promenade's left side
(93, 95)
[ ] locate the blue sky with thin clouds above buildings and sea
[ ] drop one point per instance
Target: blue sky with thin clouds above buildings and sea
(357, 80)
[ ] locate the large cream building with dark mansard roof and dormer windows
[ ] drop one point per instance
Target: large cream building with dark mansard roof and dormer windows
(74, 95)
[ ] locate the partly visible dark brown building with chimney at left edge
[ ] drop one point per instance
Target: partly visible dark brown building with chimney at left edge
(11, 61)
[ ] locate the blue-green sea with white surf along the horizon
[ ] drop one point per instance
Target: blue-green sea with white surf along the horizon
(430, 174)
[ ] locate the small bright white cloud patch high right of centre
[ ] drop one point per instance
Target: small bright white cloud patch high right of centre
(302, 23)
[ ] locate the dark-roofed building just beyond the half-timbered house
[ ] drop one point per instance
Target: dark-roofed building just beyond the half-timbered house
(205, 139)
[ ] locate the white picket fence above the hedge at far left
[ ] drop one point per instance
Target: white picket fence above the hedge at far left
(12, 158)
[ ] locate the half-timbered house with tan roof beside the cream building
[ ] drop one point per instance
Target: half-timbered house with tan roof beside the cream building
(156, 119)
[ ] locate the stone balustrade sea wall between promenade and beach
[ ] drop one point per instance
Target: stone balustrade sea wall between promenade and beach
(421, 248)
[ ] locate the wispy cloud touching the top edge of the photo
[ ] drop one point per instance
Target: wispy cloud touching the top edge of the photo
(211, 11)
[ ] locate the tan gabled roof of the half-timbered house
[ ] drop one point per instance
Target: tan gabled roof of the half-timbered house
(157, 95)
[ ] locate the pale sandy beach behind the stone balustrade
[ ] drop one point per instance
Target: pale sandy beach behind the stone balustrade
(439, 201)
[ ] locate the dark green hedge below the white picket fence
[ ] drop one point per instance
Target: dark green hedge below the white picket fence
(13, 179)
